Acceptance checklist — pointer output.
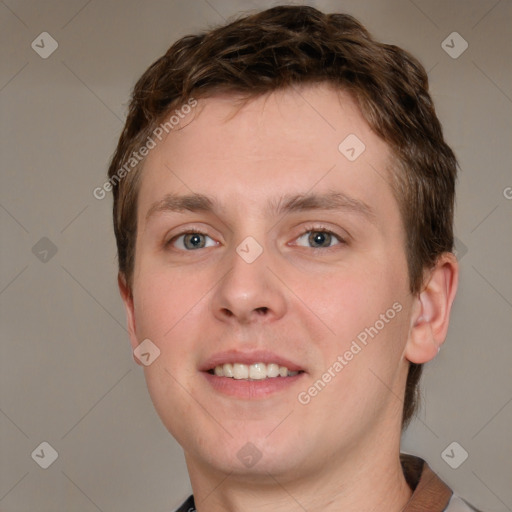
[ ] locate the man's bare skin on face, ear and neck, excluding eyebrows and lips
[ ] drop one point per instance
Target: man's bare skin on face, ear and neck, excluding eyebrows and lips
(341, 450)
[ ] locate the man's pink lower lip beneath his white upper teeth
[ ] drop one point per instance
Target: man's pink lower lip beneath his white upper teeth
(251, 389)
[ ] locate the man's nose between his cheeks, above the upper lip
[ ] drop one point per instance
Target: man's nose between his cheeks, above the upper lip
(249, 292)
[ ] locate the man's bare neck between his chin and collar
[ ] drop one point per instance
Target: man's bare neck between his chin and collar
(370, 480)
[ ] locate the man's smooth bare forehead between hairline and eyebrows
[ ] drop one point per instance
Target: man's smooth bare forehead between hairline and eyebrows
(294, 140)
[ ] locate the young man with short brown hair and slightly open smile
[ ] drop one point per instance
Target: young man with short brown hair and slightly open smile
(283, 209)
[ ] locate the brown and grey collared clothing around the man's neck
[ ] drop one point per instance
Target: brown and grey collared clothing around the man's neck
(430, 493)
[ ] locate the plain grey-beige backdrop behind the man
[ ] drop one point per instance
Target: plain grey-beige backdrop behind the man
(67, 374)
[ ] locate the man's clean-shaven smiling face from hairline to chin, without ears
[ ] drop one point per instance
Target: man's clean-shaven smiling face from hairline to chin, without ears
(288, 251)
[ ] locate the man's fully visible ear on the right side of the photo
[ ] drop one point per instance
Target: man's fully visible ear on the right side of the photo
(431, 311)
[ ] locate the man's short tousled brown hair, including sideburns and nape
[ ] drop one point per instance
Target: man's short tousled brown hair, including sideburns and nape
(287, 46)
